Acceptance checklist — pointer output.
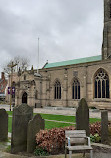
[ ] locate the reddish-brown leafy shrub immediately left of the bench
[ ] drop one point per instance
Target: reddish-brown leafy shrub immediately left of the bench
(52, 140)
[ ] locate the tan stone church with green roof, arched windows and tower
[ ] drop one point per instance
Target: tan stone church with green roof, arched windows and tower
(65, 83)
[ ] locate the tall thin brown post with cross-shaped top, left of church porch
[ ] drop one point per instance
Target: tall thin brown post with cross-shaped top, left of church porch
(11, 77)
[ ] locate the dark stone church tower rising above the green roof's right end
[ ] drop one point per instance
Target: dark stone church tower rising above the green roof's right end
(106, 46)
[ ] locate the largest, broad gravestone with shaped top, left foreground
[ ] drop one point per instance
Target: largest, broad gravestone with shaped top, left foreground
(21, 116)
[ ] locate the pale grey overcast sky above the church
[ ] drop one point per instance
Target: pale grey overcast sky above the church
(68, 29)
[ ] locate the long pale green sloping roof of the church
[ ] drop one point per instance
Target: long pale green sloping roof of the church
(75, 61)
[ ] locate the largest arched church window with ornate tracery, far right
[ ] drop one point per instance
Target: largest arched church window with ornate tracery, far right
(101, 82)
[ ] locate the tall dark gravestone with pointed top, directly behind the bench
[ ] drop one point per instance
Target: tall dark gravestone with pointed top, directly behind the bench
(82, 117)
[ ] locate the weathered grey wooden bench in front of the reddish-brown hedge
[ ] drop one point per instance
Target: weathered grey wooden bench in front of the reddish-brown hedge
(76, 140)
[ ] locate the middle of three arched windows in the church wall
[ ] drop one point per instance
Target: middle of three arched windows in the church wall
(76, 89)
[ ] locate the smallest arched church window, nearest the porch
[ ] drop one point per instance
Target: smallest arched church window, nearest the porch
(57, 90)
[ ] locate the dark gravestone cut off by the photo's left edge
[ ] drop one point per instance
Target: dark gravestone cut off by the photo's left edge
(3, 125)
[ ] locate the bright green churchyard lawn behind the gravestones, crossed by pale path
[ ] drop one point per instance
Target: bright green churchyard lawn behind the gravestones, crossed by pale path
(50, 120)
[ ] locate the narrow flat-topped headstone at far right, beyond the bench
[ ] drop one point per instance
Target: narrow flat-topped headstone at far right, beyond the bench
(104, 126)
